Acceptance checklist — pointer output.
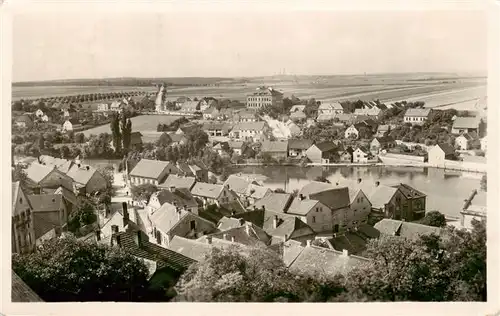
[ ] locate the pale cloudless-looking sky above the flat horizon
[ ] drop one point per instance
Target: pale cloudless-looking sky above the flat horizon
(52, 45)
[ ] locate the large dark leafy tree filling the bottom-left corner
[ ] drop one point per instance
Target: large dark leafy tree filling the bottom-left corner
(68, 270)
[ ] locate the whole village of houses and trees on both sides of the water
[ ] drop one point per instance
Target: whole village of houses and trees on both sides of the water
(170, 208)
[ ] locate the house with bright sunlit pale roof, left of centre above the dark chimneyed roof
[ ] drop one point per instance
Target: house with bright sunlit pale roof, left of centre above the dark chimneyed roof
(169, 221)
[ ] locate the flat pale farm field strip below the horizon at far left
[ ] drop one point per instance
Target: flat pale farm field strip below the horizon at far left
(53, 91)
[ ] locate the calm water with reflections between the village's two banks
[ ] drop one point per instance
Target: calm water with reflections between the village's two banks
(445, 190)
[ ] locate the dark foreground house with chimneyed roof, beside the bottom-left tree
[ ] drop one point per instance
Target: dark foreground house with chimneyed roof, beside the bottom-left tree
(165, 266)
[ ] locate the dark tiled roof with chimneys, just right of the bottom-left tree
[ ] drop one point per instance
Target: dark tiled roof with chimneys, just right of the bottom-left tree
(162, 256)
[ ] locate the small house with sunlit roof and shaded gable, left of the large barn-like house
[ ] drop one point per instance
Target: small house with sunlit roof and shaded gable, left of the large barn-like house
(312, 212)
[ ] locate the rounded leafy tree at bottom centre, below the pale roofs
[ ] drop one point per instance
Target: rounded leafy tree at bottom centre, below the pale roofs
(229, 275)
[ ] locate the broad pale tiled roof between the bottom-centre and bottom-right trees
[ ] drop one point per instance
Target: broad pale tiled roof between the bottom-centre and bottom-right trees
(314, 261)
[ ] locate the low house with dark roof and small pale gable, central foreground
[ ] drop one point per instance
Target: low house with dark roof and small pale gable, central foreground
(280, 226)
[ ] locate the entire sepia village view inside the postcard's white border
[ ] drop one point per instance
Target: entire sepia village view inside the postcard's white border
(332, 156)
